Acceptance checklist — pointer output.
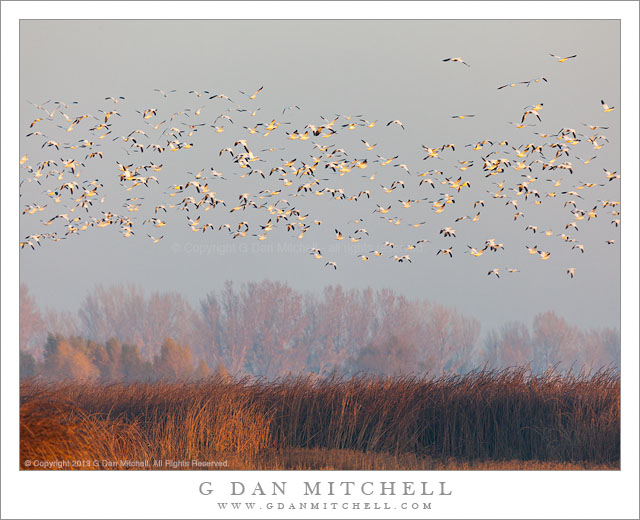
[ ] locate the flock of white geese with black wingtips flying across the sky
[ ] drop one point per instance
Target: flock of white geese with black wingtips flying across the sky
(514, 177)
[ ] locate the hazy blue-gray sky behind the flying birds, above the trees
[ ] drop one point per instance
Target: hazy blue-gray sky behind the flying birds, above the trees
(382, 70)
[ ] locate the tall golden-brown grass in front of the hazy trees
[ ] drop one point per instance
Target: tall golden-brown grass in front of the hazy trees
(482, 416)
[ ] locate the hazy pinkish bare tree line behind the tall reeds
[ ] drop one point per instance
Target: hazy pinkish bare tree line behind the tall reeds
(268, 329)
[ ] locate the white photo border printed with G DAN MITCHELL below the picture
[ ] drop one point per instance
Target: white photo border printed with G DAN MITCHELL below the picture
(476, 494)
